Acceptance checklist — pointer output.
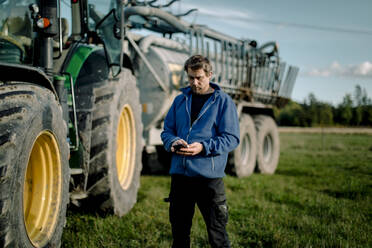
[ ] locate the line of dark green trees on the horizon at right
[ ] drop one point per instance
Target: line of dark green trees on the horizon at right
(354, 110)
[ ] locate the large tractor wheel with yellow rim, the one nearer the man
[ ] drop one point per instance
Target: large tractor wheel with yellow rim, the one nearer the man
(116, 144)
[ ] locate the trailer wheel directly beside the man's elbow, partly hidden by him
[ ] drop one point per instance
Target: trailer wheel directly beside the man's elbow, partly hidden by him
(245, 154)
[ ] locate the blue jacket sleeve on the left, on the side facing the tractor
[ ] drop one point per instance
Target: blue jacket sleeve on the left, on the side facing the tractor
(169, 134)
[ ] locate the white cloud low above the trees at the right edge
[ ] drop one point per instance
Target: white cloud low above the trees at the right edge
(336, 69)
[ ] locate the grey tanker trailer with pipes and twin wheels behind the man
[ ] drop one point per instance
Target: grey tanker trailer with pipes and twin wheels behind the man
(158, 42)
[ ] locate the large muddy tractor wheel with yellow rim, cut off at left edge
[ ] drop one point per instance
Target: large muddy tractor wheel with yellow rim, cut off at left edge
(34, 170)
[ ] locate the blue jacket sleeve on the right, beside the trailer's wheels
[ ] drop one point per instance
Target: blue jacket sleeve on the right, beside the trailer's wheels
(228, 133)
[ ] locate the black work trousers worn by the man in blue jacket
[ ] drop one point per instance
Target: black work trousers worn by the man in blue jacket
(209, 195)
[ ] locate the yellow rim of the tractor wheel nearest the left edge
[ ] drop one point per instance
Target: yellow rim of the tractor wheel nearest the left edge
(42, 189)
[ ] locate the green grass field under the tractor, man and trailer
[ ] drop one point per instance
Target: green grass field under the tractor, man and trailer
(320, 196)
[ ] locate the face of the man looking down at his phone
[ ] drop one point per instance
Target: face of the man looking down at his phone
(198, 80)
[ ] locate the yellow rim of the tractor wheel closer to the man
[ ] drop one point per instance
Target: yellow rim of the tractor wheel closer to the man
(125, 147)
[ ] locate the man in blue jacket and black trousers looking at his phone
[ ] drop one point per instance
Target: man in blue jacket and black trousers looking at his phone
(200, 129)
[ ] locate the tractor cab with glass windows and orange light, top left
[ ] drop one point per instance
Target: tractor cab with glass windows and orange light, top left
(96, 22)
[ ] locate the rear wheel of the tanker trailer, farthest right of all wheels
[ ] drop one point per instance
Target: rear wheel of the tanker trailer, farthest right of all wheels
(268, 146)
